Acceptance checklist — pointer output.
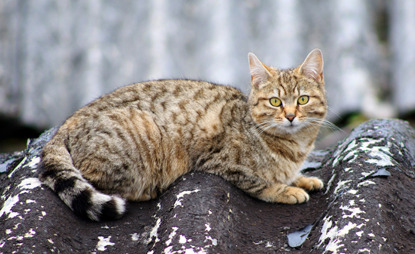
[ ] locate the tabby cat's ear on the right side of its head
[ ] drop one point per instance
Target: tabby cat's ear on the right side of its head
(312, 67)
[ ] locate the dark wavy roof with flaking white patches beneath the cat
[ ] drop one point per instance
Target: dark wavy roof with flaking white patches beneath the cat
(367, 207)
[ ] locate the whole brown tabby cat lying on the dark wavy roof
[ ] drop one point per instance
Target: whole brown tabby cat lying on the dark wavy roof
(134, 142)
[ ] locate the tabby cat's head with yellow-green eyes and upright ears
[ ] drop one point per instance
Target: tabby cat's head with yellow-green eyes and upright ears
(287, 101)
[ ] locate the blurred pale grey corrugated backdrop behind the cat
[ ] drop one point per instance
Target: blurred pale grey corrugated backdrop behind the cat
(56, 56)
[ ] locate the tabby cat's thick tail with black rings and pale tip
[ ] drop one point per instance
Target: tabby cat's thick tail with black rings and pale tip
(66, 180)
